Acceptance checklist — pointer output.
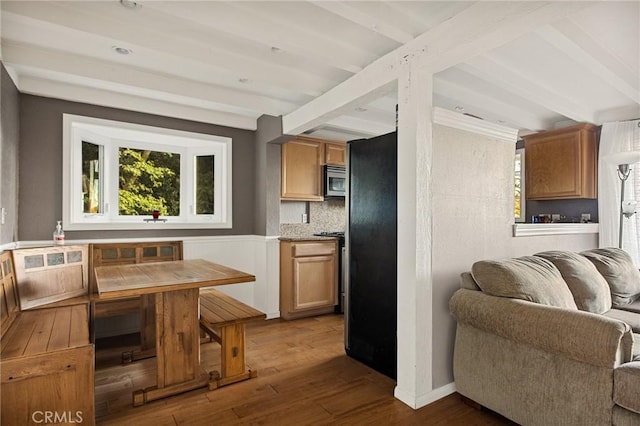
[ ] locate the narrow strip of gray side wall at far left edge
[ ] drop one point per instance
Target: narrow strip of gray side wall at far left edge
(9, 139)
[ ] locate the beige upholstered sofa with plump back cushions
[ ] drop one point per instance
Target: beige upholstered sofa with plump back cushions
(549, 339)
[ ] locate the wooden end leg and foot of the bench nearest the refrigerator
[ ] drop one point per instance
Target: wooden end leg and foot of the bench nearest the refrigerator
(232, 357)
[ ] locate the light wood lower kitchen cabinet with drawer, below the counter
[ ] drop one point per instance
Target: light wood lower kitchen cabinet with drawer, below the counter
(308, 278)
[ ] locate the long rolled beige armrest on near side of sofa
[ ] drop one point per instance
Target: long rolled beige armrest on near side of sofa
(578, 335)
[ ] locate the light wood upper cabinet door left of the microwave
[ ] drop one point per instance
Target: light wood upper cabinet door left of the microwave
(302, 171)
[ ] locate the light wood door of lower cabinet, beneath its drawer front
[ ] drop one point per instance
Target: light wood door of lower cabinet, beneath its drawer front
(313, 282)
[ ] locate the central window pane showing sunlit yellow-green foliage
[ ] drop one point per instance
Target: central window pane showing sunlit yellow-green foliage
(149, 180)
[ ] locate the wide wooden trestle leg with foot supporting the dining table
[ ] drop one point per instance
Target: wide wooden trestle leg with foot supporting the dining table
(177, 346)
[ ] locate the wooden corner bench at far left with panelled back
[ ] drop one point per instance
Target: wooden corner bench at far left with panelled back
(47, 360)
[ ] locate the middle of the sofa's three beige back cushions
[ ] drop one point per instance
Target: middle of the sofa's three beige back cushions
(590, 290)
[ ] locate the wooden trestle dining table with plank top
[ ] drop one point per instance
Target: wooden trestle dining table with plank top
(173, 288)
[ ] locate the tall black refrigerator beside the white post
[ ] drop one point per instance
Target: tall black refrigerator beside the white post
(371, 290)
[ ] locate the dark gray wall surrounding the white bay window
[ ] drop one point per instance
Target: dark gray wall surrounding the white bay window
(40, 168)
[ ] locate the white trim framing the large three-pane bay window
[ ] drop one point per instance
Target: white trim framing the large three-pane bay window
(187, 144)
